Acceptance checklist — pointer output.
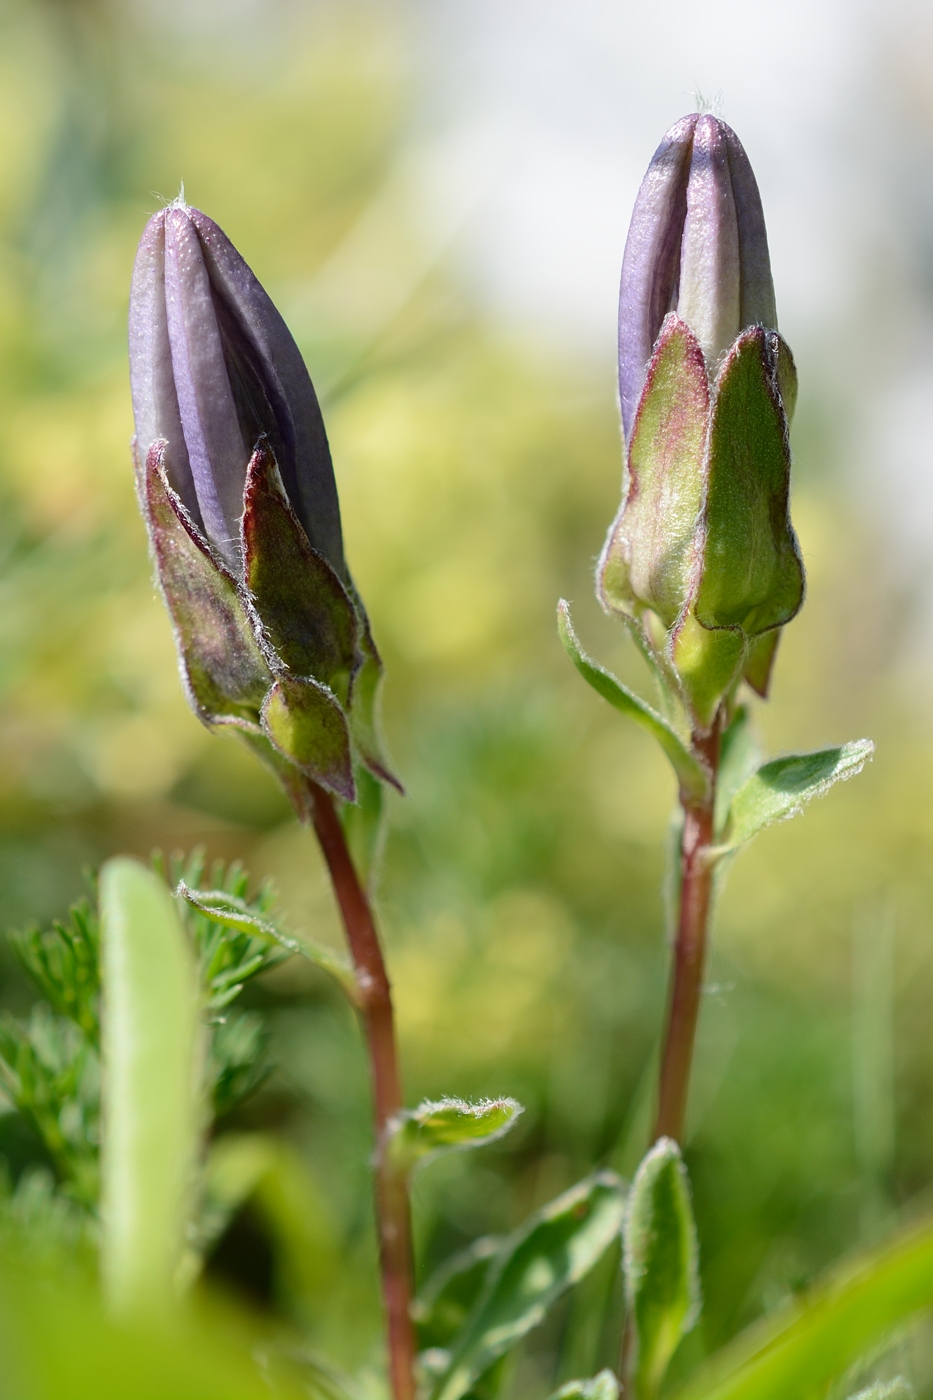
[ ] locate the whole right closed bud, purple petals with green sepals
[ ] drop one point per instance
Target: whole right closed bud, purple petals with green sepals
(703, 555)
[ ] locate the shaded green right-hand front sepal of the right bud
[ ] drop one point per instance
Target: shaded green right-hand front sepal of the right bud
(752, 573)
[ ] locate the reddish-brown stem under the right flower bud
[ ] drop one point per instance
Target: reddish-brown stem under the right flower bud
(690, 951)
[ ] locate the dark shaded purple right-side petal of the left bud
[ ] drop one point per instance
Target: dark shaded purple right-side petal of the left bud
(260, 338)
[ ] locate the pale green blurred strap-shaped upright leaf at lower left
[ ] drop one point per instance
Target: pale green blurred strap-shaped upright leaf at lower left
(152, 1045)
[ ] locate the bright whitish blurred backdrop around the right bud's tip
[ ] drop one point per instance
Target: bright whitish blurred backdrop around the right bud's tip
(541, 115)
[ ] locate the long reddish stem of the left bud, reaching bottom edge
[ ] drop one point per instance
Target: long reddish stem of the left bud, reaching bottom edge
(393, 1213)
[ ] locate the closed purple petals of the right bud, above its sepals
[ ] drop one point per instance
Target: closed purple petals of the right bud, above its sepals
(698, 247)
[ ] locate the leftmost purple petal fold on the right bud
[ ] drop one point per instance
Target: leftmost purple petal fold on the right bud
(651, 262)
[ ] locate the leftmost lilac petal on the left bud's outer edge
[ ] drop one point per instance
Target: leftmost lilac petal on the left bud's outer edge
(152, 380)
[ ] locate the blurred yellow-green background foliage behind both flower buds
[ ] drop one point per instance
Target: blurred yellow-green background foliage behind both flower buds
(478, 464)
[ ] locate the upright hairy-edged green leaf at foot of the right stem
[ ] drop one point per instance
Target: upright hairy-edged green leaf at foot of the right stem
(661, 1258)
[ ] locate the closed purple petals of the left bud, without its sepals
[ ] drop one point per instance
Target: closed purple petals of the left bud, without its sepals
(214, 370)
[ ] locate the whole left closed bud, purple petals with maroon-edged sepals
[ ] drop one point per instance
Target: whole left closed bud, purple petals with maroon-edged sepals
(237, 489)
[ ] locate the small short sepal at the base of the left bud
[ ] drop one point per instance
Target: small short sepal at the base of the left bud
(306, 724)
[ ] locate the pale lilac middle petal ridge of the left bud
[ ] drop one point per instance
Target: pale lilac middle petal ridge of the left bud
(216, 447)
